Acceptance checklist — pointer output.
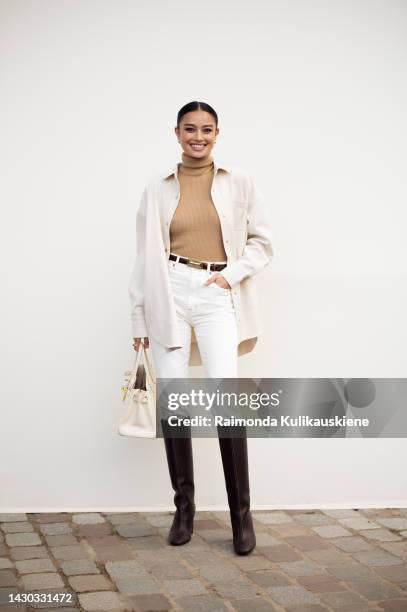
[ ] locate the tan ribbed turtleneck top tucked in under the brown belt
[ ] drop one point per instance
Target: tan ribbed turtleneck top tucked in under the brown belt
(195, 229)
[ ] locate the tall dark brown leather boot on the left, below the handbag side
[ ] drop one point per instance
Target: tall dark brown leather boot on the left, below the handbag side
(180, 465)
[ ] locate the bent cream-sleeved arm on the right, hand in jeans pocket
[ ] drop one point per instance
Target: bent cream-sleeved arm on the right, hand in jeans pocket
(258, 251)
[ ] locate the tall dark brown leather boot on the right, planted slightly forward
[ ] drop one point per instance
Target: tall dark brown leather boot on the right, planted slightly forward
(236, 471)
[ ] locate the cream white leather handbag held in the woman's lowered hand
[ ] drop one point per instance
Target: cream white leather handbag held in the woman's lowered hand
(138, 418)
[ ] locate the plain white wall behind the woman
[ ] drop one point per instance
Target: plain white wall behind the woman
(311, 98)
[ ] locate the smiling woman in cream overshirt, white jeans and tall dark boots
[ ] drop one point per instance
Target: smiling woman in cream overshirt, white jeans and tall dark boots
(202, 233)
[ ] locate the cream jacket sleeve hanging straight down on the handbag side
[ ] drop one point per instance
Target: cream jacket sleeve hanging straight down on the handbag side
(136, 284)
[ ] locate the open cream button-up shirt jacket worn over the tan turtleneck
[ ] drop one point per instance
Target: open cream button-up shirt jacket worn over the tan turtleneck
(246, 232)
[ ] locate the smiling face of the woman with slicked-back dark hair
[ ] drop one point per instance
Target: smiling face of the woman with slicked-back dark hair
(197, 133)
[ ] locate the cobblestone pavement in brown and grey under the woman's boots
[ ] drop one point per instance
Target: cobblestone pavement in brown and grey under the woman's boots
(305, 561)
